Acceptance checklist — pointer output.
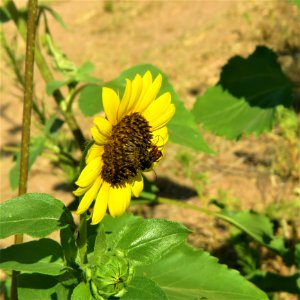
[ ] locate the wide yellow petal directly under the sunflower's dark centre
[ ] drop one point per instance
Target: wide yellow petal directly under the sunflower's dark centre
(118, 200)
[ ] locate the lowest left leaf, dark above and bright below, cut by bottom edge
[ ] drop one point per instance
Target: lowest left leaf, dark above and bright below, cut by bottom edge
(36, 286)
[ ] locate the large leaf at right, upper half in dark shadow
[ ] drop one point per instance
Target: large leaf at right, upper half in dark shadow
(245, 100)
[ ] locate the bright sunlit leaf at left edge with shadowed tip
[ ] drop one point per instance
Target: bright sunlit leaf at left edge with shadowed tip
(35, 214)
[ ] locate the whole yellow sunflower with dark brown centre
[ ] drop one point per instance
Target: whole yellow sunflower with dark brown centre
(129, 141)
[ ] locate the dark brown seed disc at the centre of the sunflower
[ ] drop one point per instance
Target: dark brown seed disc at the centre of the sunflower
(128, 150)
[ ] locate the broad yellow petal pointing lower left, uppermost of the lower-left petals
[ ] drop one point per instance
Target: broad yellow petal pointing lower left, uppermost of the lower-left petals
(90, 172)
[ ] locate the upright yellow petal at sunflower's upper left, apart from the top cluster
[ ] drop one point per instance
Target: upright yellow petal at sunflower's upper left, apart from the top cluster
(111, 103)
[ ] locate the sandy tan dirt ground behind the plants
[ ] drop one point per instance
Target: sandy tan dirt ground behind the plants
(190, 41)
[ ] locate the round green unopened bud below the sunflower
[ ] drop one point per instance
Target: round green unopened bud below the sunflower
(110, 275)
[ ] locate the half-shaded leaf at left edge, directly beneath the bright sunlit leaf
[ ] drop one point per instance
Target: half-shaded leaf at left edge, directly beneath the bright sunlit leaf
(43, 256)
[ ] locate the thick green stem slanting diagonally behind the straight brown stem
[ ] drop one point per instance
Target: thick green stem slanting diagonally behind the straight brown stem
(47, 75)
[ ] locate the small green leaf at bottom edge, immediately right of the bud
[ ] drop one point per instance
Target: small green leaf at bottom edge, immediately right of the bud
(144, 288)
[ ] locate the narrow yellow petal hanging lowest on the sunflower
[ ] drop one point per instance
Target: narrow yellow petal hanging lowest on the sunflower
(101, 204)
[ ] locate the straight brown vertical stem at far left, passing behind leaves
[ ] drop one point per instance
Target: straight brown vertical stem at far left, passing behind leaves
(27, 105)
